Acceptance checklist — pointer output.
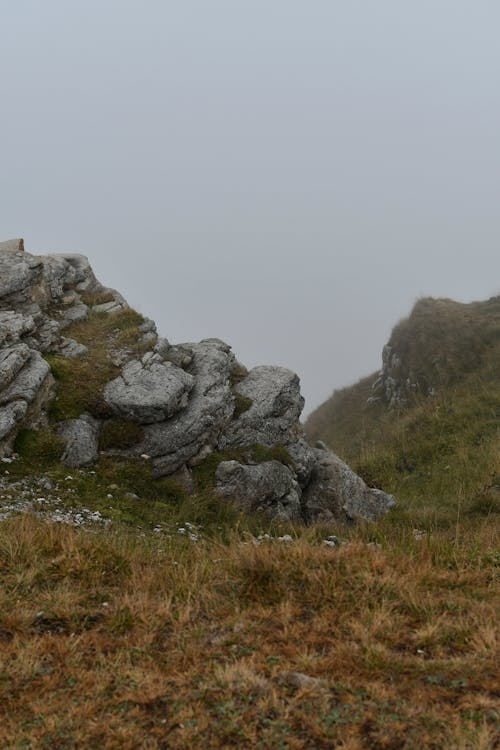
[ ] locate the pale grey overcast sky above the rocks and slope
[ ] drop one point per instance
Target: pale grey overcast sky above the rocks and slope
(287, 175)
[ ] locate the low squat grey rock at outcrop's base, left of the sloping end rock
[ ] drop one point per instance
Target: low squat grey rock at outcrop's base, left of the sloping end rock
(270, 487)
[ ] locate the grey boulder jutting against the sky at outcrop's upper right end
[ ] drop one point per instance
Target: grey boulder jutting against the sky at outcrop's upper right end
(276, 407)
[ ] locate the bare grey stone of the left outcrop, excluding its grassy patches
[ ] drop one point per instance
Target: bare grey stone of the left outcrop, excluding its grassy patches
(186, 401)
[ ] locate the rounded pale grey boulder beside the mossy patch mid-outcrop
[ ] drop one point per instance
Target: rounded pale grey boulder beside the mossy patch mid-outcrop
(150, 392)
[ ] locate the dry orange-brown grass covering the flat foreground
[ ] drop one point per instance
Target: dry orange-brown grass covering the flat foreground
(117, 641)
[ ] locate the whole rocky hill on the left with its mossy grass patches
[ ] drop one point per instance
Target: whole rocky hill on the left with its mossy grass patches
(86, 383)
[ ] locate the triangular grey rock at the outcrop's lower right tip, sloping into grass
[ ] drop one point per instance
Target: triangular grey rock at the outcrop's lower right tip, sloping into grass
(336, 492)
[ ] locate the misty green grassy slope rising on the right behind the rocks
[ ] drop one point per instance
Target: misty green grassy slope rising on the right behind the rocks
(439, 455)
